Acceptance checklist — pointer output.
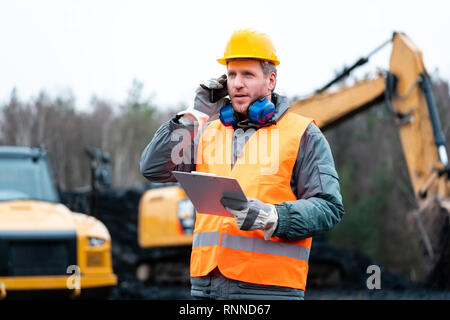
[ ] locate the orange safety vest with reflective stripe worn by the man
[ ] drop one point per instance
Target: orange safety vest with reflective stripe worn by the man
(264, 172)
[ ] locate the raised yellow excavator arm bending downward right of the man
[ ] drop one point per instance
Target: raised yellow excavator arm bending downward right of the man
(406, 87)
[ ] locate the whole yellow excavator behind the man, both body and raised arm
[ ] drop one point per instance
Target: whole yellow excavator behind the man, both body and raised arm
(406, 87)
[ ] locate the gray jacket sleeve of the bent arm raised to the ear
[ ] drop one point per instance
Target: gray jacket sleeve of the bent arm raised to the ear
(170, 149)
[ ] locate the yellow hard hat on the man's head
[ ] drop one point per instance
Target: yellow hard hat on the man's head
(250, 44)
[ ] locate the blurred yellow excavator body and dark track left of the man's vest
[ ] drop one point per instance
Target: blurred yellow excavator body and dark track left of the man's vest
(166, 221)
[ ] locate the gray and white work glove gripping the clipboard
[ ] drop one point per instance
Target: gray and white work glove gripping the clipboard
(253, 215)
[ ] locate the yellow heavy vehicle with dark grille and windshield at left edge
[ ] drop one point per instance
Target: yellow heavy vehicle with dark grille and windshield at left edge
(46, 250)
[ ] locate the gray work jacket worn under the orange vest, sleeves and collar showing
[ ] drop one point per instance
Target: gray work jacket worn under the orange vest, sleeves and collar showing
(314, 181)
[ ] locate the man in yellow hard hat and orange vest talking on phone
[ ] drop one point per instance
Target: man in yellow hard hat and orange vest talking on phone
(282, 162)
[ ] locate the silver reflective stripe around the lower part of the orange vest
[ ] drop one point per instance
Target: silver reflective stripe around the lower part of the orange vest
(251, 244)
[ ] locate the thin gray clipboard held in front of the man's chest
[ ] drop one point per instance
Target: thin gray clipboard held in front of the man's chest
(205, 191)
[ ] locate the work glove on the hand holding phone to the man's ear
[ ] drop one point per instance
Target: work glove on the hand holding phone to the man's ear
(209, 99)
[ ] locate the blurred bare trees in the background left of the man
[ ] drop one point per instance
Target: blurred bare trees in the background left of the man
(122, 130)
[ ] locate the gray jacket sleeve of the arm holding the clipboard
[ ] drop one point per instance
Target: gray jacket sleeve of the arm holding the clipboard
(316, 184)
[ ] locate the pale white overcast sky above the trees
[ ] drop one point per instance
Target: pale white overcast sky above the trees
(99, 47)
